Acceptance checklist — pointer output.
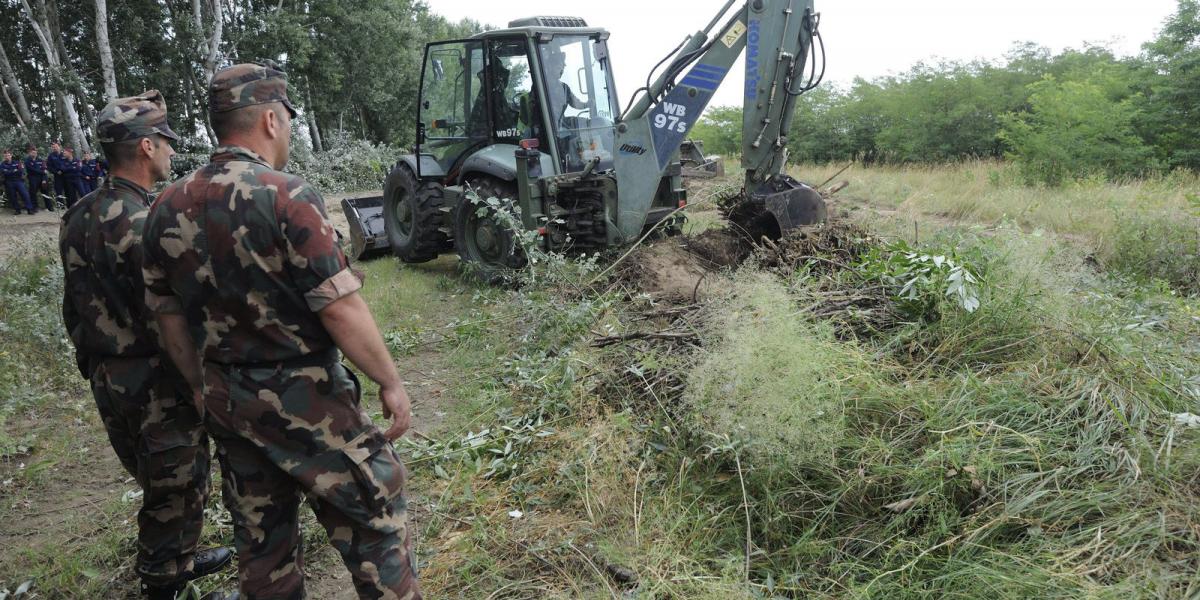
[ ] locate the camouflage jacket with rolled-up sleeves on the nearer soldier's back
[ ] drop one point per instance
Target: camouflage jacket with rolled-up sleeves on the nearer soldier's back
(249, 256)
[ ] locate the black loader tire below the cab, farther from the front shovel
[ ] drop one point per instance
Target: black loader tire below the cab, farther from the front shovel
(488, 247)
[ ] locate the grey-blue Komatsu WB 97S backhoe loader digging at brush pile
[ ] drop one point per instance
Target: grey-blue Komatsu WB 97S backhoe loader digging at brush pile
(531, 115)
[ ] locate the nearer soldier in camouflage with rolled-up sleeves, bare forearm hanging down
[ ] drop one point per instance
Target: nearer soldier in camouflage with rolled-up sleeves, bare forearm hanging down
(248, 259)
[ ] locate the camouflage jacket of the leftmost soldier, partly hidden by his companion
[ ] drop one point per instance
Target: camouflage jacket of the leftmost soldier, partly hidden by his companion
(101, 247)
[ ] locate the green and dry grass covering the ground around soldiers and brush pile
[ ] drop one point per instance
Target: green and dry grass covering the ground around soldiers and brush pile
(1023, 451)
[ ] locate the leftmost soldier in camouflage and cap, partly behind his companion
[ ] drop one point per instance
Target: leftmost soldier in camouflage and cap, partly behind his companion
(148, 410)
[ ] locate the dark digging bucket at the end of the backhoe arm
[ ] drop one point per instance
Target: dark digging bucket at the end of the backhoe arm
(777, 208)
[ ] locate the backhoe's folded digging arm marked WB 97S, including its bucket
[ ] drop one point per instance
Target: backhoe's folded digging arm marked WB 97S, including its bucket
(778, 39)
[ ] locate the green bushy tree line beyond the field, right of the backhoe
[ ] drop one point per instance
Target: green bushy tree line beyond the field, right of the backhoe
(1075, 115)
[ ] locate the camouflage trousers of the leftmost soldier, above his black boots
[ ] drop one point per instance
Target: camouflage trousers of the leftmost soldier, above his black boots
(157, 433)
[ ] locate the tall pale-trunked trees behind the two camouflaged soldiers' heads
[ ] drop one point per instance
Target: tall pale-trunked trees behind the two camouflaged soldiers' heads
(353, 68)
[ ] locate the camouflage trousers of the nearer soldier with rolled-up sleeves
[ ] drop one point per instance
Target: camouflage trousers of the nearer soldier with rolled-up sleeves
(289, 433)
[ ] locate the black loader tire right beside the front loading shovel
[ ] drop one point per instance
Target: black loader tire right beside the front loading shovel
(415, 218)
